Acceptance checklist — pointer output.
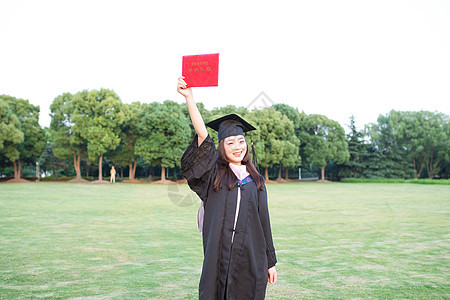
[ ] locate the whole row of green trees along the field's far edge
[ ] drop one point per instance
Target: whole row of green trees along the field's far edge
(89, 126)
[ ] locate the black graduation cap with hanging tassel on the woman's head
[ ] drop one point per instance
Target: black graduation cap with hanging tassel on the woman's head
(231, 125)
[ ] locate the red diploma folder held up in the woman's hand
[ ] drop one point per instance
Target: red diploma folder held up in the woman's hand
(201, 70)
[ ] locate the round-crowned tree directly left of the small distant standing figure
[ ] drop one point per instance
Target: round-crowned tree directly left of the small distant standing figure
(97, 119)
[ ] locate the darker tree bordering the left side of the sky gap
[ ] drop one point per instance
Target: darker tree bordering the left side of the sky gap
(33, 135)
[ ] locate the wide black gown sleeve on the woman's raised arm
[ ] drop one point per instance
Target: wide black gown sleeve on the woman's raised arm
(198, 164)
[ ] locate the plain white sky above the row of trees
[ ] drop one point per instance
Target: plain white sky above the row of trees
(335, 58)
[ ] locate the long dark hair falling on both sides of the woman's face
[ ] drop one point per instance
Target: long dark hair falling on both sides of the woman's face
(225, 175)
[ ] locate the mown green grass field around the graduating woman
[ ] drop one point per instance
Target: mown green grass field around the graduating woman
(339, 241)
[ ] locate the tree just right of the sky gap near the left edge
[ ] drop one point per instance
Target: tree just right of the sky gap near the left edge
(67, 142)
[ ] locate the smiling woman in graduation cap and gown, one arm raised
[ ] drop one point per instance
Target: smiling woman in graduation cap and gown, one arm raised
(239, 257)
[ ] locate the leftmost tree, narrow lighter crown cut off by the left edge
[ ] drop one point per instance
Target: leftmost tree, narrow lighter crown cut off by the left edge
(10, 133)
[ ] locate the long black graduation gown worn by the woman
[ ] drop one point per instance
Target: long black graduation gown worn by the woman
(235, 270)
